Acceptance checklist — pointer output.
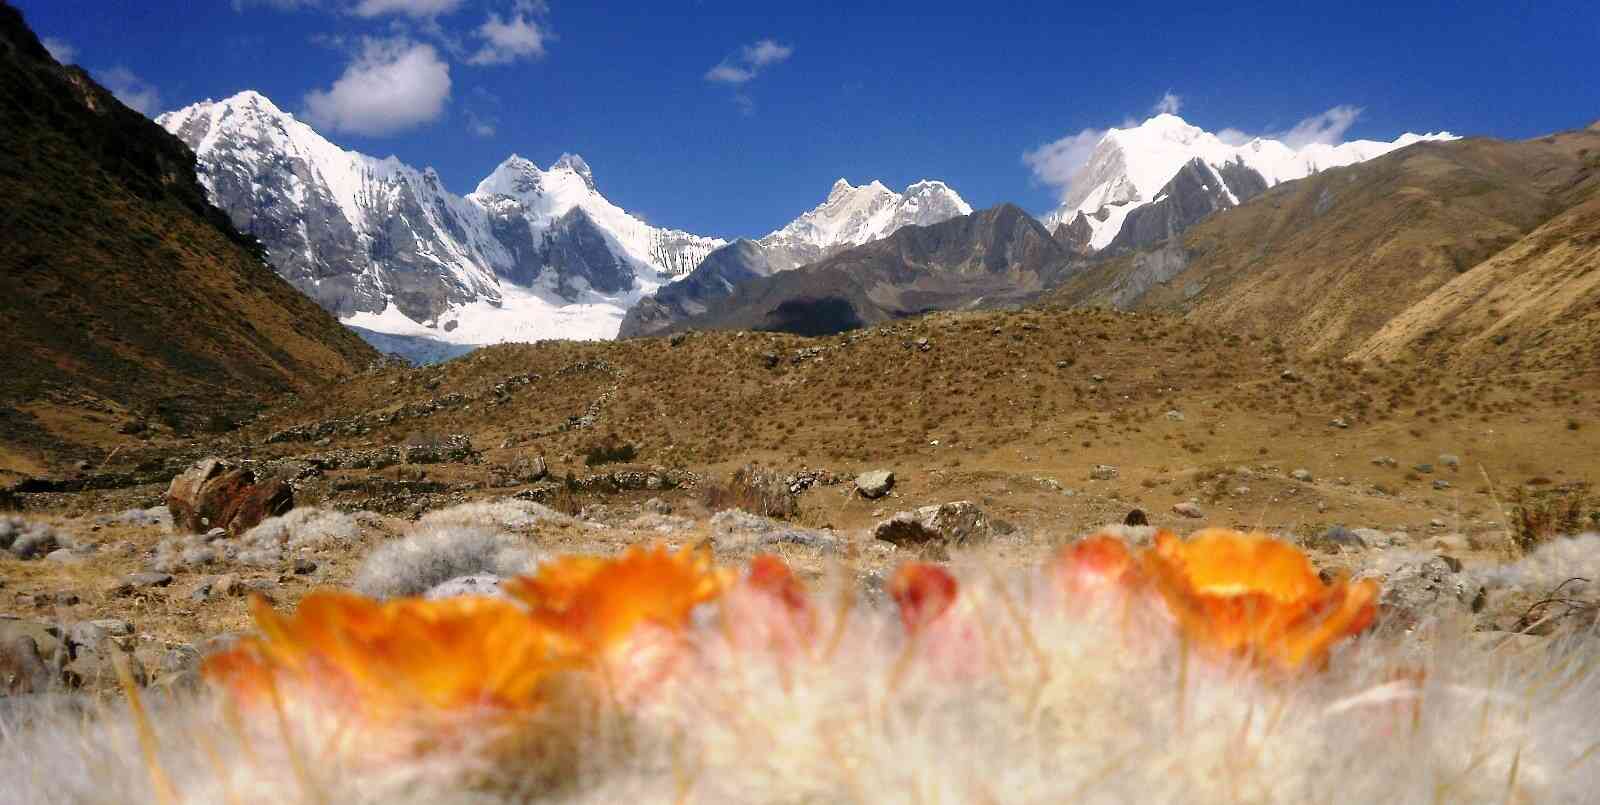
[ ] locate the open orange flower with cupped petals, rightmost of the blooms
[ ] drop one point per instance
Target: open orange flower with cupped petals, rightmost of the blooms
(1258, 598)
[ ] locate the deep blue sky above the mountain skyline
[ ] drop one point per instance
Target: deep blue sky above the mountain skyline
(732, 118)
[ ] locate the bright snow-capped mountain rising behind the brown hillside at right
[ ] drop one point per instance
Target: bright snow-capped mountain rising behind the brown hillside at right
(1132, 167)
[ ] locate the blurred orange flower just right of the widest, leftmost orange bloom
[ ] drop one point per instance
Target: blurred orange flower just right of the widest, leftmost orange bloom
(599, 603)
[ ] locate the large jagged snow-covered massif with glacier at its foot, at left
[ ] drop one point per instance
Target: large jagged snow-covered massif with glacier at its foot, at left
(532, 254)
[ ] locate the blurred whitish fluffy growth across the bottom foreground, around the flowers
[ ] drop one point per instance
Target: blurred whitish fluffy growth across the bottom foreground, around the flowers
(1079, 707)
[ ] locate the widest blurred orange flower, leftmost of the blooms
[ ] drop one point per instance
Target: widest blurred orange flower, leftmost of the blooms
(396, 659)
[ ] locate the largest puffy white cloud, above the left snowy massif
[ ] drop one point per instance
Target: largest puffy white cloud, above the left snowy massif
(393, 86)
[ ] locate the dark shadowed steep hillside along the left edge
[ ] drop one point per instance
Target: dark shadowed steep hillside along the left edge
(124, 295)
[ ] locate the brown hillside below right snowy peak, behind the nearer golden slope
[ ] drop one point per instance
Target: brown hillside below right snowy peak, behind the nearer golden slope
(1329, 262)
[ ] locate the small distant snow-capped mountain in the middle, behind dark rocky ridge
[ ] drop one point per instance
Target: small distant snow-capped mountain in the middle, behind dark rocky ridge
(858, 215)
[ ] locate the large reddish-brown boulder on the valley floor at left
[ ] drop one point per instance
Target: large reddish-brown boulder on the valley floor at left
(217, 495)
